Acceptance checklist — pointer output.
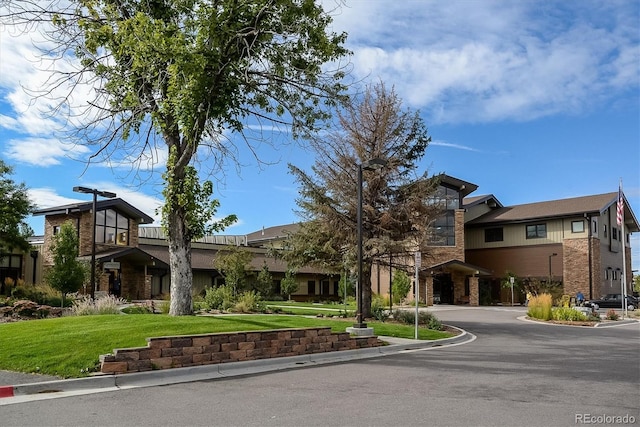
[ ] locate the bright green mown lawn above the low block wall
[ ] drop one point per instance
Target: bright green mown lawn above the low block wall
(70, 346)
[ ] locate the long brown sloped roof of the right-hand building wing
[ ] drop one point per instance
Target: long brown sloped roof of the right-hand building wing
(576, 206)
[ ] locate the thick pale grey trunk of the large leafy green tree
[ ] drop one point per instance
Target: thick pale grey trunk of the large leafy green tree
(180, 265)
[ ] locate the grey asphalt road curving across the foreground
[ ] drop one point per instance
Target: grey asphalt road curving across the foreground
(515, 373)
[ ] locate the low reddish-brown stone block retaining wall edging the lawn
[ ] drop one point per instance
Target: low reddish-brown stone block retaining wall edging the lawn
(183, 351)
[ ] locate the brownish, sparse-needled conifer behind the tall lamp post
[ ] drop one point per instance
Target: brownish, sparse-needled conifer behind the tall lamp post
(396, 210)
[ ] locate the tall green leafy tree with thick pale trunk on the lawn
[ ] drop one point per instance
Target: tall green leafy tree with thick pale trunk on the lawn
(187, 74)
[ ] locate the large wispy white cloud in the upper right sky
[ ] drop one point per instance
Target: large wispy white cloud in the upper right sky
(484, 61)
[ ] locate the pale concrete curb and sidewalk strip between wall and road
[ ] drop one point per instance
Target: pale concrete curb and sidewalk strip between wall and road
(46, 386)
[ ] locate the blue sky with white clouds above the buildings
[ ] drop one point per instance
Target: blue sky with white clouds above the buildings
(529, 100)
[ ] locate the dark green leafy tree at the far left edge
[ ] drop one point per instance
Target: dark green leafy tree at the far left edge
(14, 209)
